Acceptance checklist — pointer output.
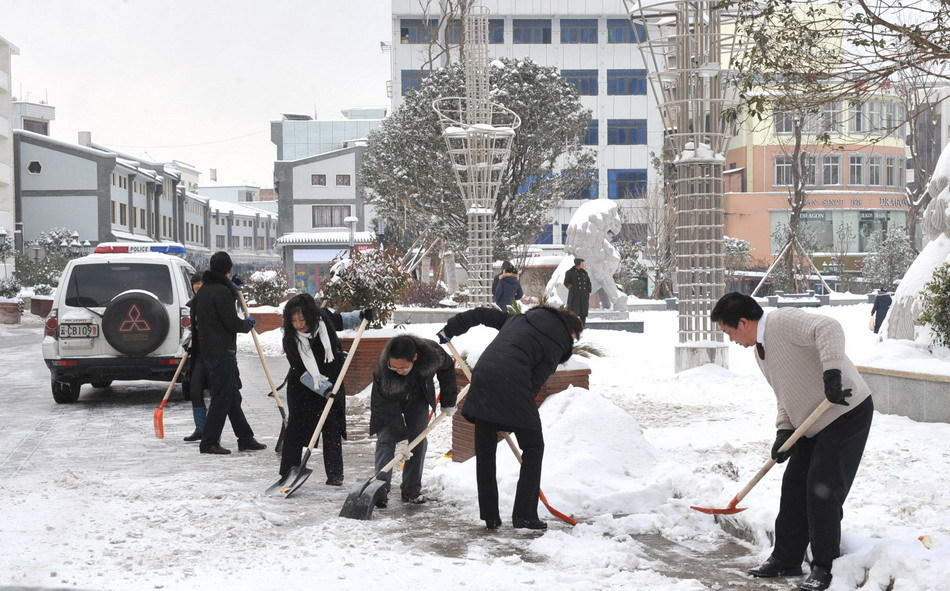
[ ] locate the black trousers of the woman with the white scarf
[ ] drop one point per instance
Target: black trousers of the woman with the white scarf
(304, 408)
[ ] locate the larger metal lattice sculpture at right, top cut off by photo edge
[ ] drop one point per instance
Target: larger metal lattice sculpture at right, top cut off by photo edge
(687, 46)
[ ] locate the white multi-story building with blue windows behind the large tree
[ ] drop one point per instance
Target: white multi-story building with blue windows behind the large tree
(593, 44)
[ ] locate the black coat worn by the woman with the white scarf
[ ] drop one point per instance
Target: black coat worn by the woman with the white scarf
(331, 370)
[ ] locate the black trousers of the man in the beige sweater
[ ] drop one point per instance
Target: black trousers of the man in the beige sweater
(816, 483)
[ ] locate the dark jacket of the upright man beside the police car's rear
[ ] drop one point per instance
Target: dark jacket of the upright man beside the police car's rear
(215, 317)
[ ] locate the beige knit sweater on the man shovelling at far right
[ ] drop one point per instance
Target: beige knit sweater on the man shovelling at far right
(799, 347)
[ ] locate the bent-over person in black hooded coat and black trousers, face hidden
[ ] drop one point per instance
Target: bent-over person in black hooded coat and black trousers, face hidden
(507, 378)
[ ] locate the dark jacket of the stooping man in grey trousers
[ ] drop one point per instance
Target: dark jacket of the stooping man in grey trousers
(391, 390)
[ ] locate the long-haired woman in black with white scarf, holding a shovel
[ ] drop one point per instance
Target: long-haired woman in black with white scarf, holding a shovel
(316, 358)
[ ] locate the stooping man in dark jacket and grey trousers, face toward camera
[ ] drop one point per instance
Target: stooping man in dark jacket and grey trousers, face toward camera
(403, 392)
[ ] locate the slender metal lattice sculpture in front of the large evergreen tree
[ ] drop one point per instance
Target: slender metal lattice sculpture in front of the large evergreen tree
(478, 134)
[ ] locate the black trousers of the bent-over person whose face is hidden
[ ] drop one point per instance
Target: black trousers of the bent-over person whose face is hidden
(528, 491)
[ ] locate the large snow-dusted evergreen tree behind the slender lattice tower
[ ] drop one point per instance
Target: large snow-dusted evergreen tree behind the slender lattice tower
(407, 175)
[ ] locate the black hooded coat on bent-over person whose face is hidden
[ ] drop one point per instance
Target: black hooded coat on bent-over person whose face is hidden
(510, 372)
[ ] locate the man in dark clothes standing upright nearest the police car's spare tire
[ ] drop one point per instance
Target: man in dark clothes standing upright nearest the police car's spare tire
(217, 324)
